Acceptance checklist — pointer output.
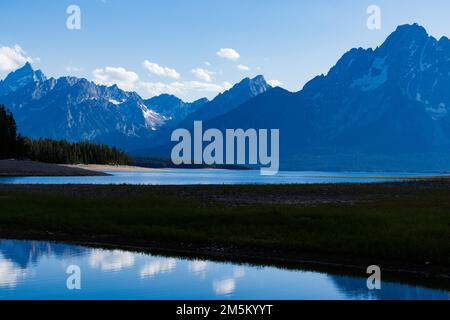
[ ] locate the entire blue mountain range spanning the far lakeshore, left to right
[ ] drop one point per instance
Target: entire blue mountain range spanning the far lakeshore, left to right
(377, 109)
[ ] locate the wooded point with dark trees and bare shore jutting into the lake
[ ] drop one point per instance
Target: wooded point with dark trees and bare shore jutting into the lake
(38, 153)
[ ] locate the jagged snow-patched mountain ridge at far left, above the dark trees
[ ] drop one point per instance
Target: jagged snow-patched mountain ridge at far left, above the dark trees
(76, 109)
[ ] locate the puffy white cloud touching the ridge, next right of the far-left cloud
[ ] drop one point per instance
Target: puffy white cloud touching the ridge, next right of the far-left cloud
(126, 80)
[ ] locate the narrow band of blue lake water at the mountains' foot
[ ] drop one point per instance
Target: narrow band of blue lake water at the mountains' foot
(202, 176)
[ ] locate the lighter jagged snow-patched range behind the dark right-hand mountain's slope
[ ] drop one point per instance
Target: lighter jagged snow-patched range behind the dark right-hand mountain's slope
(76, 109)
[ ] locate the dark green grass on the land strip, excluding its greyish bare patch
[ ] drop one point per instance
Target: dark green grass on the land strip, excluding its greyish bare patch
(412, 227)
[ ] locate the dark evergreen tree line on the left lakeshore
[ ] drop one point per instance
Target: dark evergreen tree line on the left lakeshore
(13, 145)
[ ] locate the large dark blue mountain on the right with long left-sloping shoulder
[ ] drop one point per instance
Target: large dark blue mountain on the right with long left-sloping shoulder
(386, 108)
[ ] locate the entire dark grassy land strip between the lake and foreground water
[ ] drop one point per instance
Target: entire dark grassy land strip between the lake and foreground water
(406, 225)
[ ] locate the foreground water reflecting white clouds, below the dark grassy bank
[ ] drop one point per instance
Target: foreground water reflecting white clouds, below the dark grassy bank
(37, 270)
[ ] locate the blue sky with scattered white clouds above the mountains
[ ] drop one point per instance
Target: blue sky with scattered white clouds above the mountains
(289, 41)
